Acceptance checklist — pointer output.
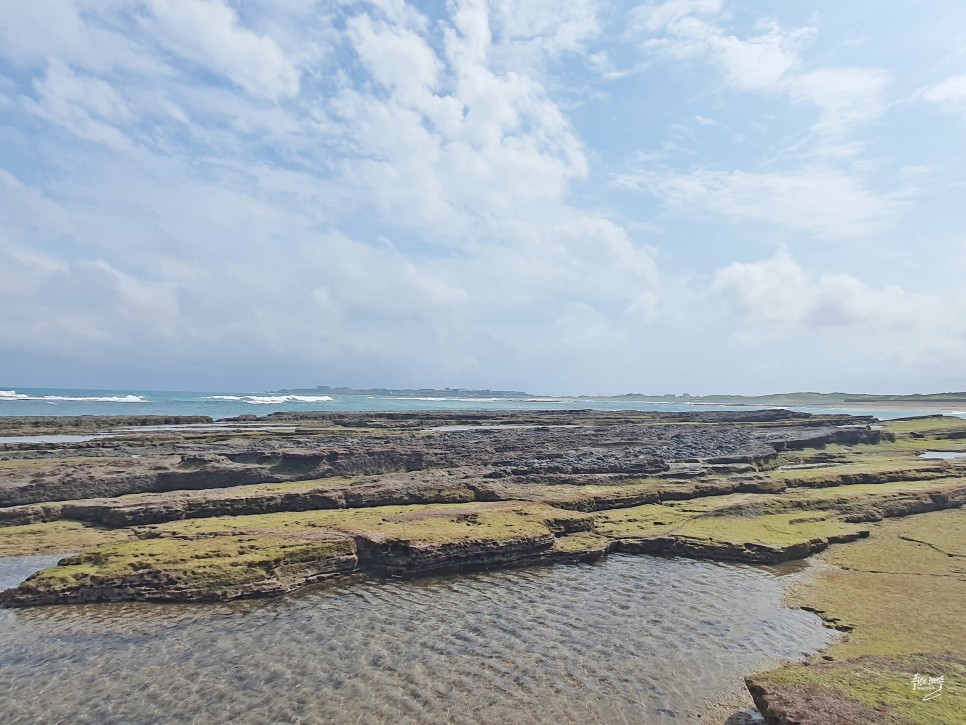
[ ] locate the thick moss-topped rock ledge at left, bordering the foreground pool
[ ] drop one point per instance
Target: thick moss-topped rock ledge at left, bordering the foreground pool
(232, 557)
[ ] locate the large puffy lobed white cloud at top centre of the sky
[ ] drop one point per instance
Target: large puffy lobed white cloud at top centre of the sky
(454, 145)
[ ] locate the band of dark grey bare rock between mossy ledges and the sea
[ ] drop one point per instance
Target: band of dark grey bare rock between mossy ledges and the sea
(550, 447)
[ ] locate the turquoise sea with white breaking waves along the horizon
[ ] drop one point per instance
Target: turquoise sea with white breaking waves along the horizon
(63, 401)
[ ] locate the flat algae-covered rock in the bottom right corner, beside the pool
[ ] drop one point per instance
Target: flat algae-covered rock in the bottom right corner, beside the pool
(900, 597)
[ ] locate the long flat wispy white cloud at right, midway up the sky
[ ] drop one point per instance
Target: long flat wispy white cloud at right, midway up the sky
(822, 202)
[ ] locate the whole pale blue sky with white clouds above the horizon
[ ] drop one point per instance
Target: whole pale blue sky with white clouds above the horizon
(557, 196)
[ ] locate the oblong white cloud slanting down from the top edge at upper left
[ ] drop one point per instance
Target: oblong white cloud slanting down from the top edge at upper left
(208, 32)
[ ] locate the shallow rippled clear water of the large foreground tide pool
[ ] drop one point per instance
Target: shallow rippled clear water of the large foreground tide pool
(626, 640)
